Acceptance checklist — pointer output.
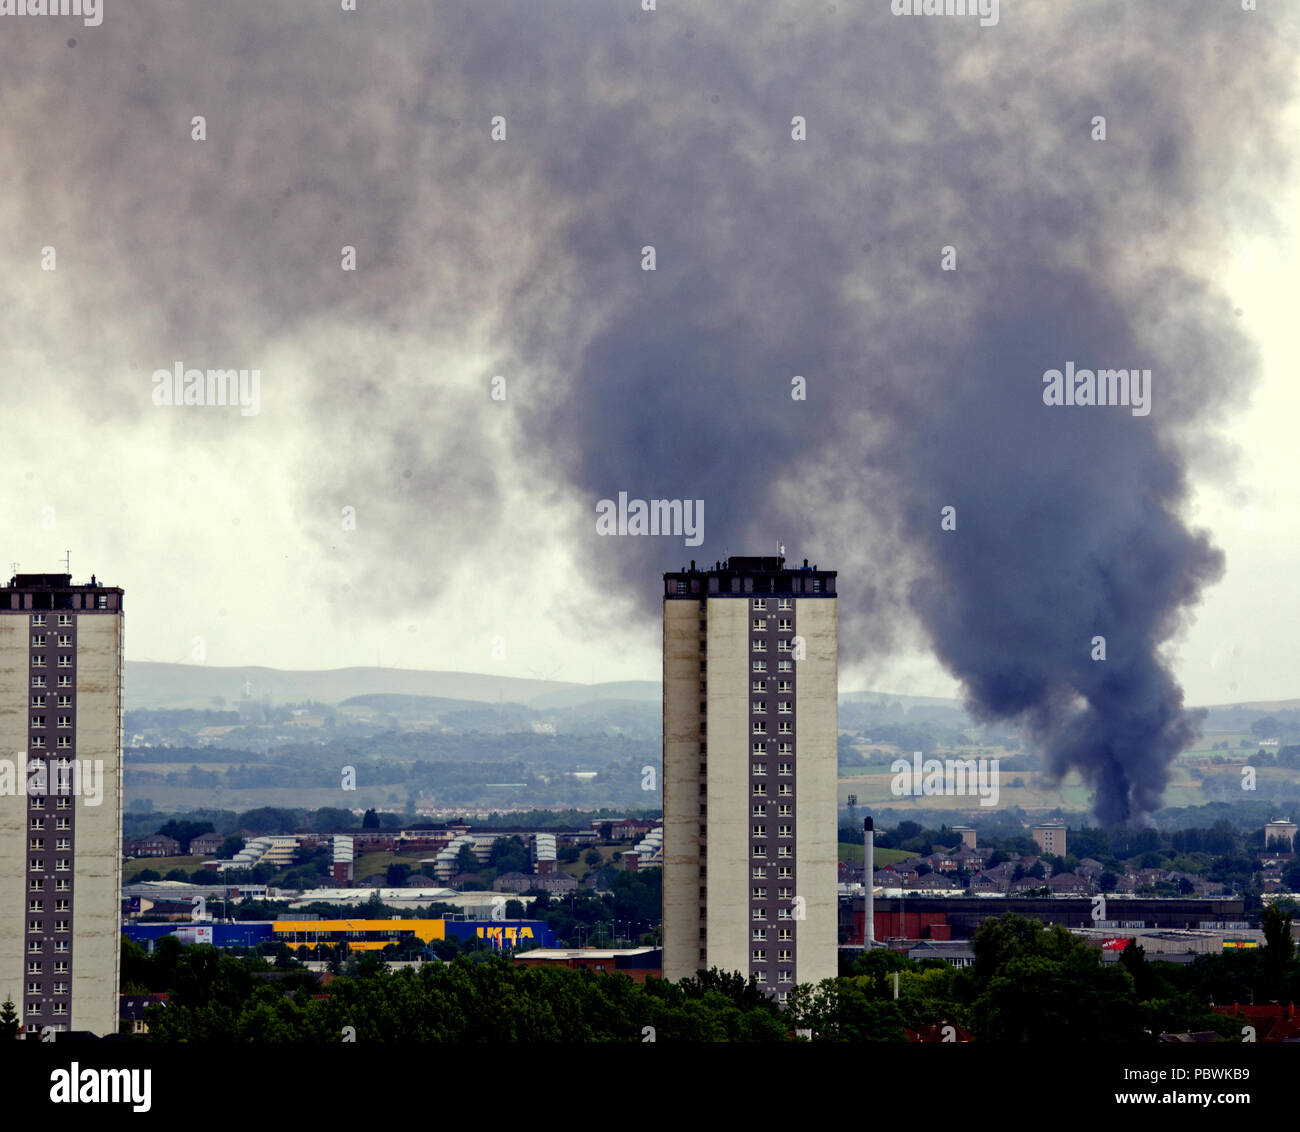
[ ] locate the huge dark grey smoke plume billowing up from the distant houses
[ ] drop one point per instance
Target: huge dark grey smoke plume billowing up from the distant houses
(775, 259)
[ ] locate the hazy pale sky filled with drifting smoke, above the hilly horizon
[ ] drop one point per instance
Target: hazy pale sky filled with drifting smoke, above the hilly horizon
(1171, 245)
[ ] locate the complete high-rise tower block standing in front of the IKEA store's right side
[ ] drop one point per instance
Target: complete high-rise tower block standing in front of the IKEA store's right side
(751, 658)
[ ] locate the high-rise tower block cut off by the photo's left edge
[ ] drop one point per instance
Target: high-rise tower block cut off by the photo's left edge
(60, 801)
